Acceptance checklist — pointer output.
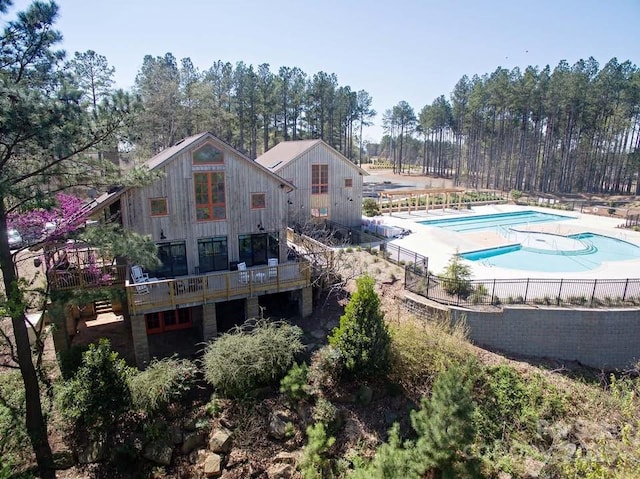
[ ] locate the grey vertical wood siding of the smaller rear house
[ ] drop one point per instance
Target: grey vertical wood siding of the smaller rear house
(341, 210)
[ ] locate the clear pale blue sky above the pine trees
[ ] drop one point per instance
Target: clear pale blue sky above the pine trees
(402, 50)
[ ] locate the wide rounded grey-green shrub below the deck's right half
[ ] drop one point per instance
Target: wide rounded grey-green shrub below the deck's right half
(256, 354)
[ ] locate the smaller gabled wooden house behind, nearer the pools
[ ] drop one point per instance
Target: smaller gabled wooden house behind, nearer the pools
(327, 185)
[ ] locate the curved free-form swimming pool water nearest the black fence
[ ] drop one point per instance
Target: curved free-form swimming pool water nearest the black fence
(598, 249)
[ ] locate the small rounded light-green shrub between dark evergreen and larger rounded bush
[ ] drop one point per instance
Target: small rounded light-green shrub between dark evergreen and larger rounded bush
(163, 383)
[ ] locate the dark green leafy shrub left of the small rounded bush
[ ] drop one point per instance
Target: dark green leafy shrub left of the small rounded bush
(98, 393)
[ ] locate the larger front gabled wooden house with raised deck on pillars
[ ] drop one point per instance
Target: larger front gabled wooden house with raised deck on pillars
(219, 221)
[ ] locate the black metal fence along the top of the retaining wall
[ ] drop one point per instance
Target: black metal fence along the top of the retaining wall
(590, 293)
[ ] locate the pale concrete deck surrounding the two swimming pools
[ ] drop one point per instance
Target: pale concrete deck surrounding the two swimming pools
(439, 245)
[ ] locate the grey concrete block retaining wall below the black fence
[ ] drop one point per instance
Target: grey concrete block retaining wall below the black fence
(601, 338)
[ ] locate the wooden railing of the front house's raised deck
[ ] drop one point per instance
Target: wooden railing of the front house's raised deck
(224, 285)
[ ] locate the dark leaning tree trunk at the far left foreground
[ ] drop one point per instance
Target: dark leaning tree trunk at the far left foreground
(35, 423)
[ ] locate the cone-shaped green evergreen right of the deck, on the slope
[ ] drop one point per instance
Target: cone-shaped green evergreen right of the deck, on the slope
(362, 337)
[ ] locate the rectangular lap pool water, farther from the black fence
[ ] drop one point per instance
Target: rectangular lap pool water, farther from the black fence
(494, 221)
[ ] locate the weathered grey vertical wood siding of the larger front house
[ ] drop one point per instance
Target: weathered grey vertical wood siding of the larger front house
(242, 178)
